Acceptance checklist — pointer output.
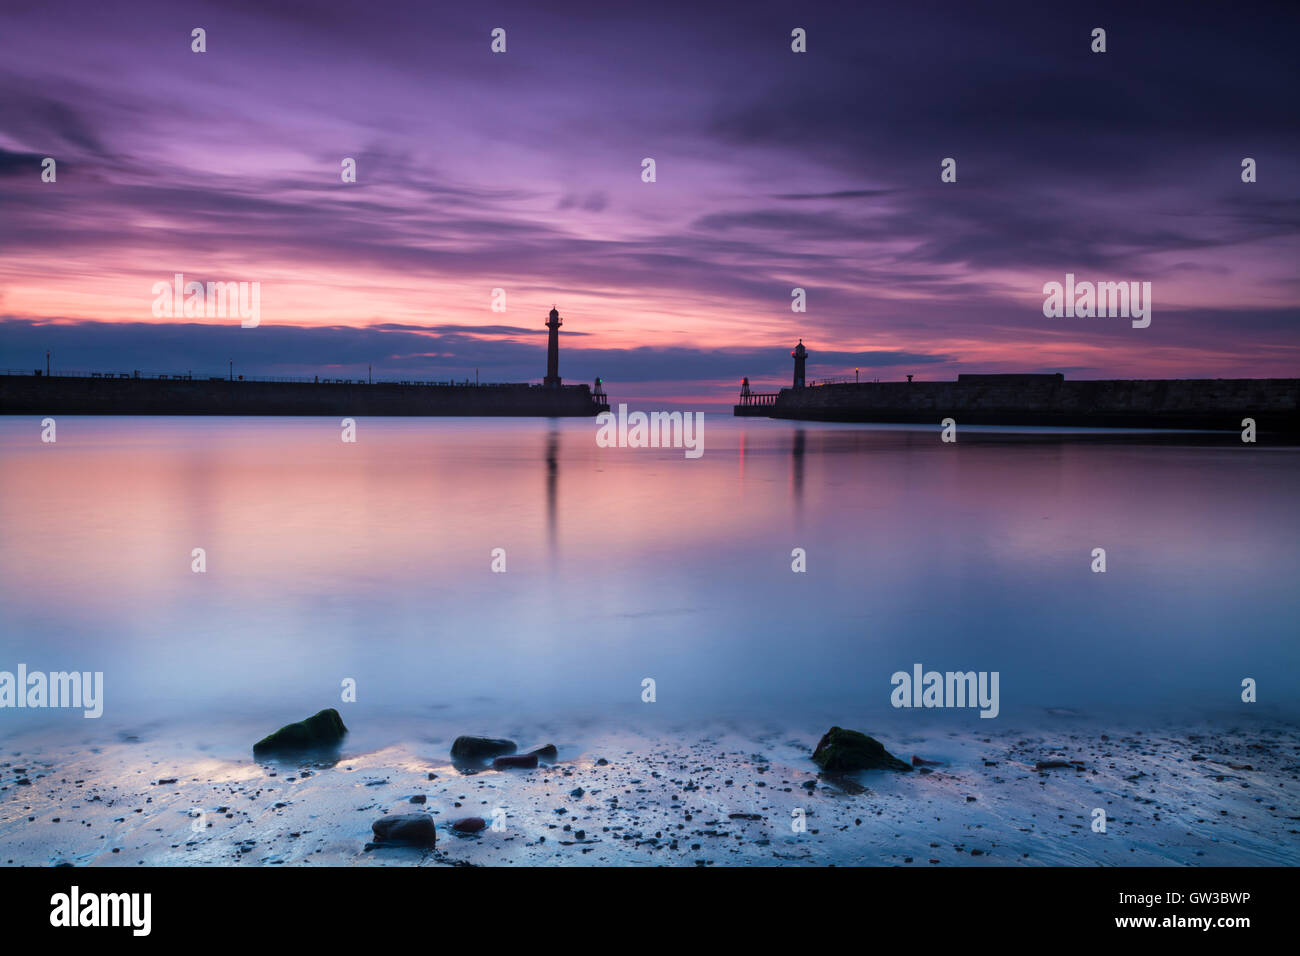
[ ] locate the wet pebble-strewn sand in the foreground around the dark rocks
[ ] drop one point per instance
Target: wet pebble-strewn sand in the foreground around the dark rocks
(722, 795)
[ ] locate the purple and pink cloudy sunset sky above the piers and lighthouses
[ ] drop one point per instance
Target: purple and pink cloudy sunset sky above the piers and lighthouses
(774, 171)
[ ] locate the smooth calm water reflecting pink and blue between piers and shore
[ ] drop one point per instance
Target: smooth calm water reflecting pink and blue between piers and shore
(372, 561)
